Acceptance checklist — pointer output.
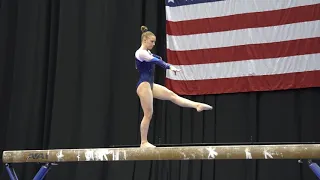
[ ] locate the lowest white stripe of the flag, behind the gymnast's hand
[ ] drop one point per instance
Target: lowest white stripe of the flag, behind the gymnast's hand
(272, 66)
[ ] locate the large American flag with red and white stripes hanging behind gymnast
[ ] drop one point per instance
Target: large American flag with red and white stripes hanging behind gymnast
(242, 45)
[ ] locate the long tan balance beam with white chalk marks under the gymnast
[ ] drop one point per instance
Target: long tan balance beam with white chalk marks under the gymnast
(286, 151)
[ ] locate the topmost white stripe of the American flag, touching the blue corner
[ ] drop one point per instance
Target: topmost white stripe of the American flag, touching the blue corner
(230, 7)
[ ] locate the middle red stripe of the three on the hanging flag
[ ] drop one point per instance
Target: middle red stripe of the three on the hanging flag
(245, 52)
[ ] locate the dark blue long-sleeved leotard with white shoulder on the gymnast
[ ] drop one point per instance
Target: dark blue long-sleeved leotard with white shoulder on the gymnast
(145, 64)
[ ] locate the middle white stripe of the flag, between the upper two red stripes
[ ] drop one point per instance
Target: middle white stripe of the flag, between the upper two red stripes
(244, 36)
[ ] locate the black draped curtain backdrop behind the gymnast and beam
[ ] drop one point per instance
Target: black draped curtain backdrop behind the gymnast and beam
(67, 80)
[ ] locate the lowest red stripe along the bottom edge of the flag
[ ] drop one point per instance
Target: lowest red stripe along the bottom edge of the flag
(246, 84)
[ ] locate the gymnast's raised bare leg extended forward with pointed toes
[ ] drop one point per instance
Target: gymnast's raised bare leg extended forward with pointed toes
(162, 93)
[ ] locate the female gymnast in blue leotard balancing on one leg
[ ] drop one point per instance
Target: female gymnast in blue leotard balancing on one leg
(147, 89)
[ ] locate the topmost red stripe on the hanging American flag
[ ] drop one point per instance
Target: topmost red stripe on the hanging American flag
(241, 21)
